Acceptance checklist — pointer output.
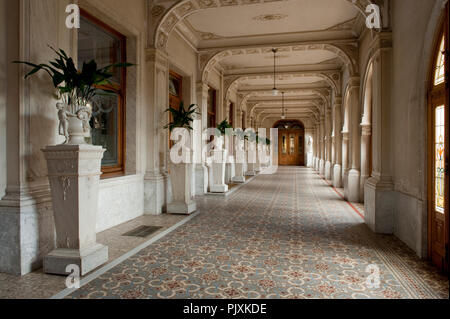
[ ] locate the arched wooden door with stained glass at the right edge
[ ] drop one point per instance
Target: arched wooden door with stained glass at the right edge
(438, 124)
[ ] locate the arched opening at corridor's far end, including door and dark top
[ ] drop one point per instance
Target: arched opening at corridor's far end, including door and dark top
(291, 142)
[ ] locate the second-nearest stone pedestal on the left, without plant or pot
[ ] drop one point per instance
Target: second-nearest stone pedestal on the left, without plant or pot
(182, 194)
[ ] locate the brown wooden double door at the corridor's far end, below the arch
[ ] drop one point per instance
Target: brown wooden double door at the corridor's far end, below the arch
(291, 147)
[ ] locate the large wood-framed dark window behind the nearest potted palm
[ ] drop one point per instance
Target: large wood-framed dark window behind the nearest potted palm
(106, 46)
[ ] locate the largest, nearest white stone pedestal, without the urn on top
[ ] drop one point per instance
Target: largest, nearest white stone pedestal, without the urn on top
(74, 174)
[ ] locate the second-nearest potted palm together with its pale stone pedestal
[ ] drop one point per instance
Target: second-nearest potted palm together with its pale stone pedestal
(181, 168)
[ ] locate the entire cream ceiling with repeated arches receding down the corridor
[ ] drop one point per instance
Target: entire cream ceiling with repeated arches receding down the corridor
(316, 41)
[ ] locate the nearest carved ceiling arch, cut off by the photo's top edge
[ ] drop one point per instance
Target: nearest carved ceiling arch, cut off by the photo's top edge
(166, 16)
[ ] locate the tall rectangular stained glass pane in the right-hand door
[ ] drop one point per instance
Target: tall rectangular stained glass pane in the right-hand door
(439, 161)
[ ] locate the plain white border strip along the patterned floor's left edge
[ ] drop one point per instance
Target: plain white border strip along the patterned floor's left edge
(131, 253)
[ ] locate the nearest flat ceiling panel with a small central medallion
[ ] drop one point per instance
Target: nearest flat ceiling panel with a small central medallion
(241, 24)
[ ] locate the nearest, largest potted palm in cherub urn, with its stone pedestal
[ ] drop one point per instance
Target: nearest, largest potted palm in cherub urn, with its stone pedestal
(74, 167)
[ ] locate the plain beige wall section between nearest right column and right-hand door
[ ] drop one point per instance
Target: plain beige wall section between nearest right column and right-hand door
(411, 20)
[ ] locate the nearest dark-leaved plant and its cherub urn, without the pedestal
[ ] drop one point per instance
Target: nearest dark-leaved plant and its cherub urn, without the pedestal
(76, 90)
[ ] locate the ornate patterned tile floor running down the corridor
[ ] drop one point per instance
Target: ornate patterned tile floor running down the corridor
(287, 235)
